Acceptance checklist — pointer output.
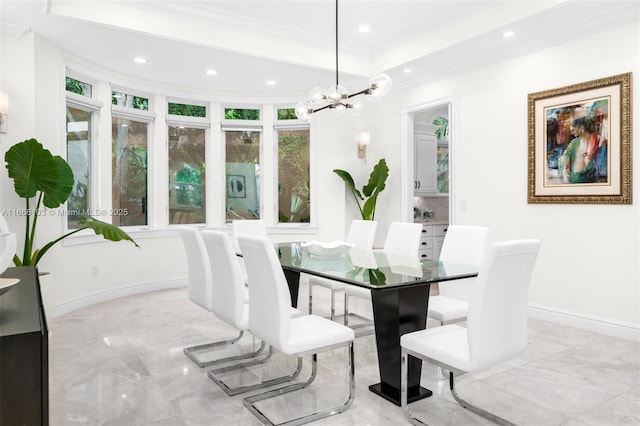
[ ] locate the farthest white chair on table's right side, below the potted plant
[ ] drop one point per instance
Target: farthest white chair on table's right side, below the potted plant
(361, 234)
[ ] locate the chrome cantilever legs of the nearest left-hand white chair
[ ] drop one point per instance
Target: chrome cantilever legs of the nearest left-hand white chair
(250, 401)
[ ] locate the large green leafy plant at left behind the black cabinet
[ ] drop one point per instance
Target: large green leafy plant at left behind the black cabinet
(38, 174)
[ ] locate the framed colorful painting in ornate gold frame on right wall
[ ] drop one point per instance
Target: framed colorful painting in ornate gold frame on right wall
(580, 143)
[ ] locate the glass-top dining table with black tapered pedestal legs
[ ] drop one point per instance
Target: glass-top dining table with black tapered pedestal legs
(399, 295)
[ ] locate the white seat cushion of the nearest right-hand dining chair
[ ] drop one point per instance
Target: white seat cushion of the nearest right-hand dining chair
(447, 344)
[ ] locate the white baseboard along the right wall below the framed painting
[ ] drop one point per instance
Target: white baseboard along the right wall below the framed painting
(608, 327)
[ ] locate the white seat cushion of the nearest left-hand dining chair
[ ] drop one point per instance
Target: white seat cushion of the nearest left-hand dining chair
(311, 333)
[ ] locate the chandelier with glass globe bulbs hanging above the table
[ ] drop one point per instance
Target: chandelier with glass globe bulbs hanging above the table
(337, 97)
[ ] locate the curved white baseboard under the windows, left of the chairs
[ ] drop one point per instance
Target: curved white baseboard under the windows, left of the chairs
(116, 293)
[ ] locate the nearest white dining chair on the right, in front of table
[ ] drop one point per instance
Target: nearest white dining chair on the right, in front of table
(496, 328)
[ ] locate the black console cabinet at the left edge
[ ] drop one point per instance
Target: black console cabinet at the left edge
(24, 352)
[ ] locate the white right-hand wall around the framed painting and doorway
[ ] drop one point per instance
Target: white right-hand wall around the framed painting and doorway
(588, 265)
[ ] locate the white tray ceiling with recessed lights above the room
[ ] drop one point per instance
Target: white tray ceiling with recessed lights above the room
(293, 42)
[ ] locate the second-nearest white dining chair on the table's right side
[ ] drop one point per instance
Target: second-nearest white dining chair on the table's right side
(466, 245)
